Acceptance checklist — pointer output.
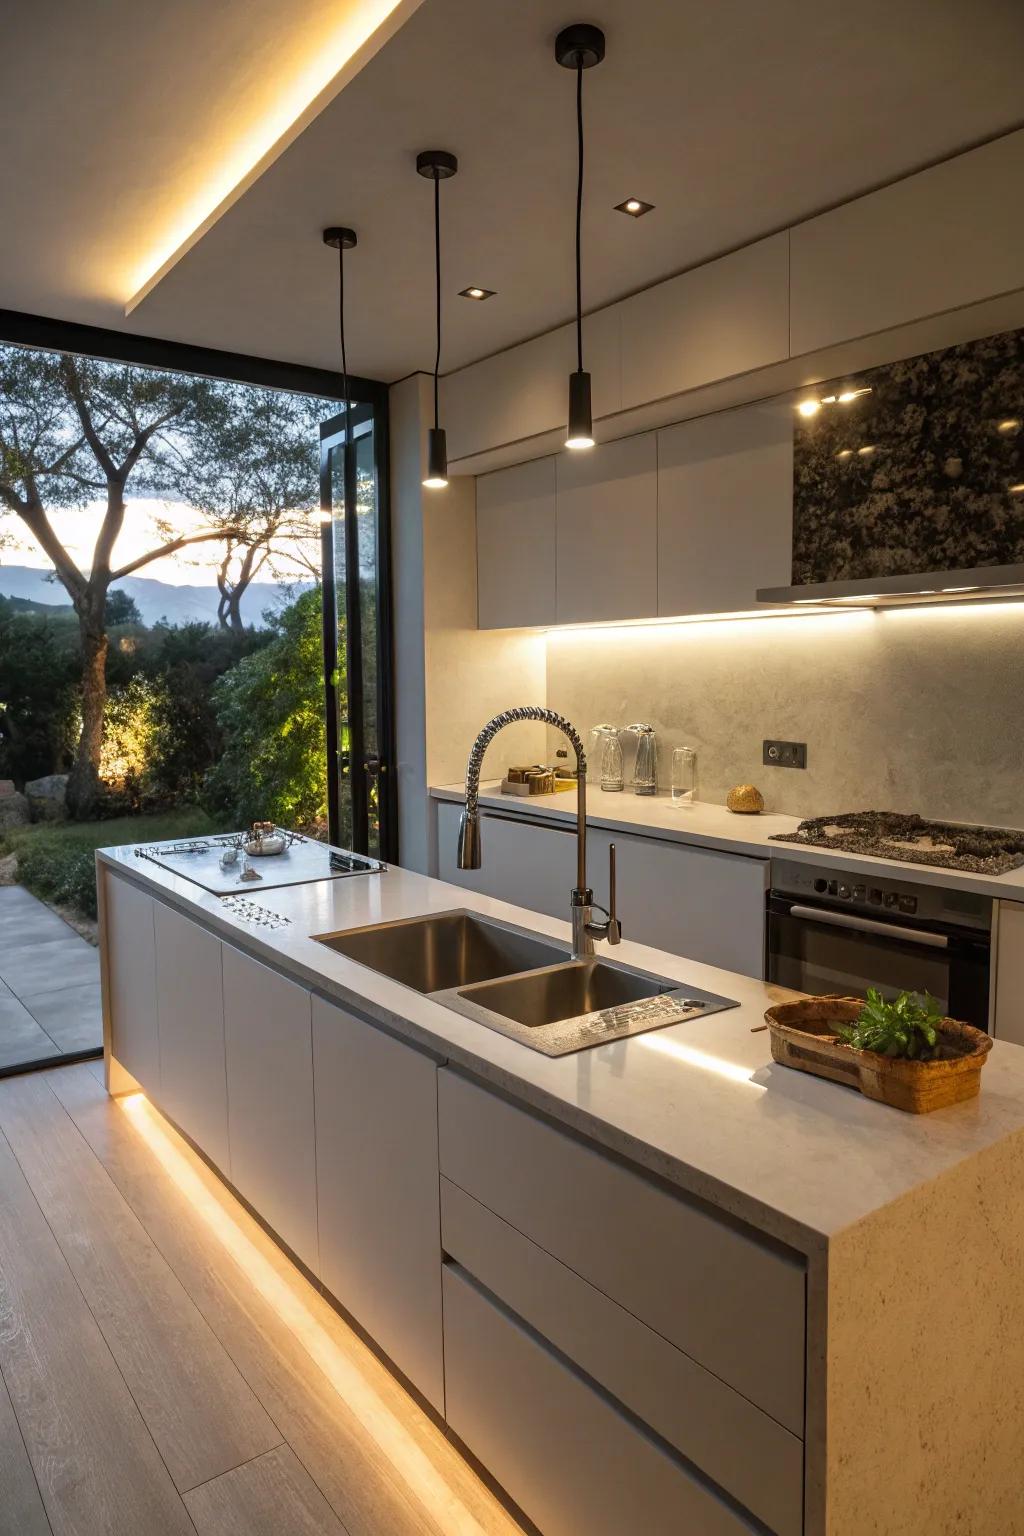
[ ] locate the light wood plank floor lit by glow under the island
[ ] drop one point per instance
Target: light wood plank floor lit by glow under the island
(165, 1369)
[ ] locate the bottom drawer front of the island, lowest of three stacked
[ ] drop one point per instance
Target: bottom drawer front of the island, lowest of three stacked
(564, 1454)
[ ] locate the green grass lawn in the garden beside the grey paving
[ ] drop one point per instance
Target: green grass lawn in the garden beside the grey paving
(55, 861)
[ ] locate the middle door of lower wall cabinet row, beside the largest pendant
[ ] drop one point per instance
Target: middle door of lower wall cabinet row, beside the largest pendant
(607, 532)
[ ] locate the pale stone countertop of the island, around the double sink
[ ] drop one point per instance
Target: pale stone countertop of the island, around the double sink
(701, 1104)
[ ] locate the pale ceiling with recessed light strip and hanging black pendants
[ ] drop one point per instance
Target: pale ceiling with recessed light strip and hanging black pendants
(735, 119)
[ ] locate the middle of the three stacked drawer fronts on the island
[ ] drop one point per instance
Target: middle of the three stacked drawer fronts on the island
(736, 1445)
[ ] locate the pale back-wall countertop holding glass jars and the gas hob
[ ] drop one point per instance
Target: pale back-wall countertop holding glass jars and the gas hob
(705, 826)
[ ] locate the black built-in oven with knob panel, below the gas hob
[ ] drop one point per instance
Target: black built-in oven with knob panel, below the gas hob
(844, 932)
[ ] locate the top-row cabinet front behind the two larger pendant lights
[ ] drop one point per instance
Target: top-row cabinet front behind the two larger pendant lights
(523, 392)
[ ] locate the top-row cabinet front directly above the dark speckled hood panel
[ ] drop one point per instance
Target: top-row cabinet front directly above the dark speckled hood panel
(946, 237)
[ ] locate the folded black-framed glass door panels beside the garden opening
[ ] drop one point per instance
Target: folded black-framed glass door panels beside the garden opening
(358, 634)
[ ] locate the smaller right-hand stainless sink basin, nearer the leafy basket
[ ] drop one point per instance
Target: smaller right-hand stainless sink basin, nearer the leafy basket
(567, 991)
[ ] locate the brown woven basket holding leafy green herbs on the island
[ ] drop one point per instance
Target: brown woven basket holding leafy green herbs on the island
(804, 1038)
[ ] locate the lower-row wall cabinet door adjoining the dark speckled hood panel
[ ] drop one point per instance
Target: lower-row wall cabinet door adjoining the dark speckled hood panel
(725, 509)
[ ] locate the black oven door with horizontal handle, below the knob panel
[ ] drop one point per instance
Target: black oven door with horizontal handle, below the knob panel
(824, 950)
